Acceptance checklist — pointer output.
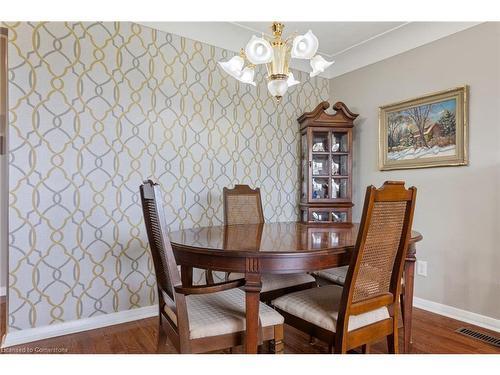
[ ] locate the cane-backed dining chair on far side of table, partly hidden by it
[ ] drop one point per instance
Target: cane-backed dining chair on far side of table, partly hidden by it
(243, 205)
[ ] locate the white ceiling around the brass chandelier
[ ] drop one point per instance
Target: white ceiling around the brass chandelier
(352, 45)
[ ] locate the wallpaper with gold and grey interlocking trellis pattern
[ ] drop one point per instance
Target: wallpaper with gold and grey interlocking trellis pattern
(95, 108)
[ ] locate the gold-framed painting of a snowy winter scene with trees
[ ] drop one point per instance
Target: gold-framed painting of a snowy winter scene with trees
(429, 131)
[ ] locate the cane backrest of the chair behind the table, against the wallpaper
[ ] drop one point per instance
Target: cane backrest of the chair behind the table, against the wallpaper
(242, 205)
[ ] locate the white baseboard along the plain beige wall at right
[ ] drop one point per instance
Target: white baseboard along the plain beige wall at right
(458, 314)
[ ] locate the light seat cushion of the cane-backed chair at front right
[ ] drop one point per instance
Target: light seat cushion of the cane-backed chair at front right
(320, 306)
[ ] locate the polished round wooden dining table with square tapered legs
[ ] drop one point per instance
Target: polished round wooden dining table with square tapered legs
(275, 248)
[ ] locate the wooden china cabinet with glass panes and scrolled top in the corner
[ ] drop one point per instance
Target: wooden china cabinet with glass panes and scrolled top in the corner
(326, 164)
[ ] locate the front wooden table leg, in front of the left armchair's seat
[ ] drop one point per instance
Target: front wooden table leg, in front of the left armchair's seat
(252, 299)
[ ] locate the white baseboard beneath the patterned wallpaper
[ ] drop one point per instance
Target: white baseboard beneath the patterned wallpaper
(66, 328)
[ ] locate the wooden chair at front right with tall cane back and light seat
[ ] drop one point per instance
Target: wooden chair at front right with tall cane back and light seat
(366, 309)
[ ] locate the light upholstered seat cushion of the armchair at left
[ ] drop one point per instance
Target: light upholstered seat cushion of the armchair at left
(223, 312)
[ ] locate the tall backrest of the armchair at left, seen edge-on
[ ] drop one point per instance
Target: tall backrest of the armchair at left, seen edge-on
(167, 273)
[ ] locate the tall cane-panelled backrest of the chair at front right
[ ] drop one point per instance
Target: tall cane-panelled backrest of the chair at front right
(373, 278)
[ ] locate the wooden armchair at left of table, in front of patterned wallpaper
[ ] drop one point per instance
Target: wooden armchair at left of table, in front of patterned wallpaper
(198, 318)
